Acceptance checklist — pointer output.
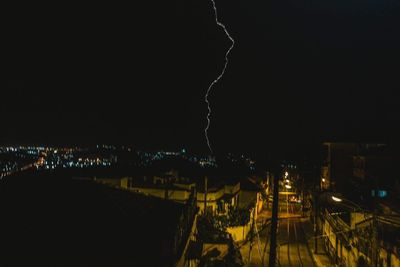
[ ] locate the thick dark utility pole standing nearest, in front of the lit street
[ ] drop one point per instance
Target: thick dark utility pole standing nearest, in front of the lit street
(274, 221)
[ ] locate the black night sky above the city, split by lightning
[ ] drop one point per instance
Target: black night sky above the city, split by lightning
(301, 72)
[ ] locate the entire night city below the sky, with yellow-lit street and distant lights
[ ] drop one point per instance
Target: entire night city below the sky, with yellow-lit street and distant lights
(149, 204)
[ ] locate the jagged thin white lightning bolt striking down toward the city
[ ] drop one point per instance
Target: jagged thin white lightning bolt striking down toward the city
(219, 76)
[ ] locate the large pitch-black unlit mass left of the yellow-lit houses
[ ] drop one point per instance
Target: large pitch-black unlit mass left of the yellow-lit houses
(49, 219)
